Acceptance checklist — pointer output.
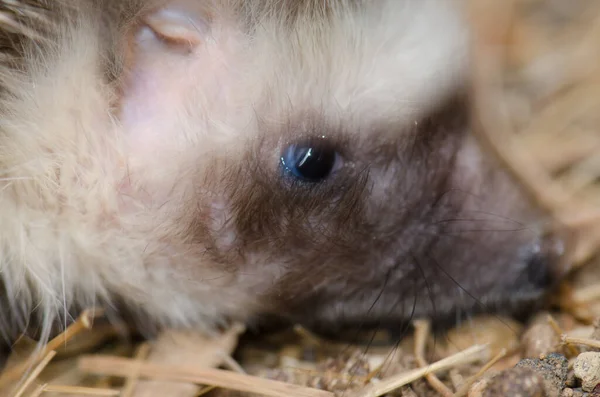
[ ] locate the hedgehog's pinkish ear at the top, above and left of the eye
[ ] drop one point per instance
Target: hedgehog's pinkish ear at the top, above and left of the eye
(167, 53)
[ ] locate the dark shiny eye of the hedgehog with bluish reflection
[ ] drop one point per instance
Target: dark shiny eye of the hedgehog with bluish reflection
(310, 163)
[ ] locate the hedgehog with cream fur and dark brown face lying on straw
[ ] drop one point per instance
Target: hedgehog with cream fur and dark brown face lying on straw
(187, 163)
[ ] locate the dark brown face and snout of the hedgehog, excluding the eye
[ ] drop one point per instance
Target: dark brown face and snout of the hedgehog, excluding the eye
(398, 231)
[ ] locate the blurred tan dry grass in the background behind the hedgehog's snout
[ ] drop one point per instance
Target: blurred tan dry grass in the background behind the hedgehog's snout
(536, 85)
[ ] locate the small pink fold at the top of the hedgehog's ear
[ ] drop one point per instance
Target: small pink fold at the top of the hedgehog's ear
(180, 22)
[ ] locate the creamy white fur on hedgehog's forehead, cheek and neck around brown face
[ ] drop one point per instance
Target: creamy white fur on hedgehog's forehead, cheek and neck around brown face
(89, 204)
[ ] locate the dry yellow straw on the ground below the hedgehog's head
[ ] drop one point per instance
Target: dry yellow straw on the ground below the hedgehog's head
(118, 374)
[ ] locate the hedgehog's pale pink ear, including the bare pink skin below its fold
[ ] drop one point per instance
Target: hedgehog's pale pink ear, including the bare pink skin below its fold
(163, 71)
